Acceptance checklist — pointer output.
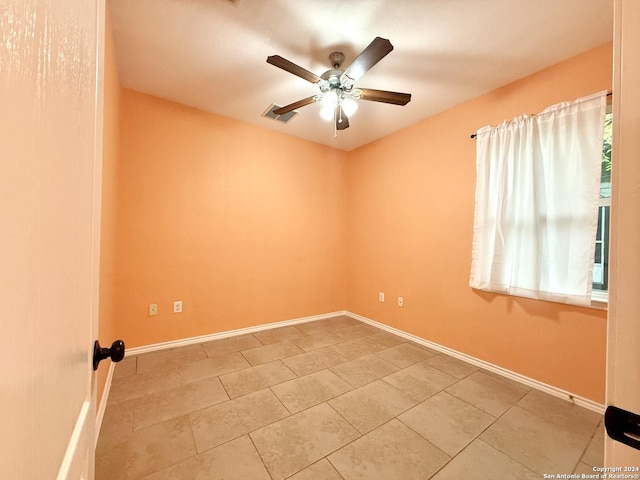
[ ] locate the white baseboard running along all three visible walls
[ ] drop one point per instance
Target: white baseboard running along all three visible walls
(530, 382)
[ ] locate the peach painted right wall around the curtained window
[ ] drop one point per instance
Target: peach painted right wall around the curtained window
(410, 226)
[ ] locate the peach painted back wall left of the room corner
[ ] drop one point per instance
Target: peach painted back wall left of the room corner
(244, 225)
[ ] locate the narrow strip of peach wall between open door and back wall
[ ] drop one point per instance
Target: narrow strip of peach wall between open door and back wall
(106, 315)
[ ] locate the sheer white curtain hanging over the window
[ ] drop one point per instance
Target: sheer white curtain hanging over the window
(538, 180)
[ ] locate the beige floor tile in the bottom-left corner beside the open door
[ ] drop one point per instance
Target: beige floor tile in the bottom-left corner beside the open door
(145, 451)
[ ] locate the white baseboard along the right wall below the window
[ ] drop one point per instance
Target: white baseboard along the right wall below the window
(530, 382)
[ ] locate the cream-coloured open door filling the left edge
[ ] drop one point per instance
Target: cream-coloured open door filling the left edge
(49, 235)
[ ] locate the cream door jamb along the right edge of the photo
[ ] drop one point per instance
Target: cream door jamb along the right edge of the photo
(623, 352)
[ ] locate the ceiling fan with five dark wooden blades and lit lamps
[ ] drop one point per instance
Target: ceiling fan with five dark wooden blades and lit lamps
(337, 91)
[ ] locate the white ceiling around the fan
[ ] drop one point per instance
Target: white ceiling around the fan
(211, 54)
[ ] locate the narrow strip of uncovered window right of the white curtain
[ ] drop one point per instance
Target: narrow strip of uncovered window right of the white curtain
(601, 257)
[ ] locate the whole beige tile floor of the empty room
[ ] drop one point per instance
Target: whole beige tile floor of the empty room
(330, 400)
